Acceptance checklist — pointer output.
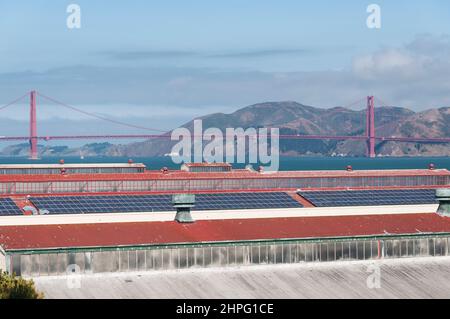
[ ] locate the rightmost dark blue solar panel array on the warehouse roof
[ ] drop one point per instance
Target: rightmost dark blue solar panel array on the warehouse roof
(370, 197)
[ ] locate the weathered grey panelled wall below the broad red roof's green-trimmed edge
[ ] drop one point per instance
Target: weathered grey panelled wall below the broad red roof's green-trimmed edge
(150, 259)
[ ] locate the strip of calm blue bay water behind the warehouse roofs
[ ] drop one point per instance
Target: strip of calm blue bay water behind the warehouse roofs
(286, 163)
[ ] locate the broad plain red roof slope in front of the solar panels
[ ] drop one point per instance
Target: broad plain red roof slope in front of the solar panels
(127, 234)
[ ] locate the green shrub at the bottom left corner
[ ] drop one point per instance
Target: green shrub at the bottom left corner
(15, 287)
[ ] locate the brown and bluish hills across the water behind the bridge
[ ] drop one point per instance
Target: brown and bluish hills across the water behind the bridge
(294, 118)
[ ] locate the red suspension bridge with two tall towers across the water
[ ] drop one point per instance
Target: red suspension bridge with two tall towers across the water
(370, 137)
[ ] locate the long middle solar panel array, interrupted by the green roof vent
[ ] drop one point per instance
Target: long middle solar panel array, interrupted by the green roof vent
(158, 203)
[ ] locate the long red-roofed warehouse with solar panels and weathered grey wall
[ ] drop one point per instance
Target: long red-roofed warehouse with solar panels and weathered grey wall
(382, 214)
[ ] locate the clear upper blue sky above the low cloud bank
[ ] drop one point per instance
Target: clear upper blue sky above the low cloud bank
(289, 35)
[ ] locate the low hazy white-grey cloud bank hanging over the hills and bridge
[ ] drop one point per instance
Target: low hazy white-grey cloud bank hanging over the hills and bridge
(415, 75)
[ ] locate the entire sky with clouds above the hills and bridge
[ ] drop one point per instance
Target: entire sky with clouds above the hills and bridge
(161, 63)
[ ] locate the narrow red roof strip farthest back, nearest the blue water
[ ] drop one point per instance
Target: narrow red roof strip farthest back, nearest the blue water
(178, 174)
